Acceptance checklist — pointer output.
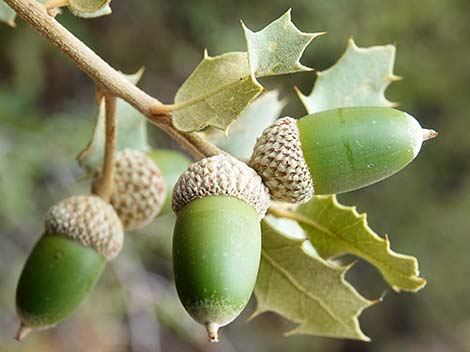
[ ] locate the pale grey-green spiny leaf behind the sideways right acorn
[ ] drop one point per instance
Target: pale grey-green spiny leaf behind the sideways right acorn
(359, 78)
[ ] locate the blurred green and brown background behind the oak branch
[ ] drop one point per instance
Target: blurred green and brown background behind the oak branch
(46, 114)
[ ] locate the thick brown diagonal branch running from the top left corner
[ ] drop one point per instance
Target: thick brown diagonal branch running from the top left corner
(106, 77)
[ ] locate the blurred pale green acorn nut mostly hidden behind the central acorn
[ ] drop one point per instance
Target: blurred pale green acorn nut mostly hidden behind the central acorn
(172, 164)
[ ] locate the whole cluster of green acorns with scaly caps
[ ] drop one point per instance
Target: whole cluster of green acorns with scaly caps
(219, 202)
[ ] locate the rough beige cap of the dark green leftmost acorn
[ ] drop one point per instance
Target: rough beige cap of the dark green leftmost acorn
(89, 220)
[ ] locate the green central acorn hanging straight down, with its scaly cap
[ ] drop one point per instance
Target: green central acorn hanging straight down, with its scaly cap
(219, 202)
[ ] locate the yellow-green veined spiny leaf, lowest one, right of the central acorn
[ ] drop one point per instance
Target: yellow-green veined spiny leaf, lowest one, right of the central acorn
(306, 289)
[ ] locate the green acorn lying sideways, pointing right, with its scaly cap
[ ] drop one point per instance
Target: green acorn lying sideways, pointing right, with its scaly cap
(335, 151)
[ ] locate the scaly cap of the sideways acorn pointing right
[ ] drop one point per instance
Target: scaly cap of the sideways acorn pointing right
(279, 160)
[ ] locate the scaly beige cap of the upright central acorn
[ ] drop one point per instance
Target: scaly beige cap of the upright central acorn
(221, 175)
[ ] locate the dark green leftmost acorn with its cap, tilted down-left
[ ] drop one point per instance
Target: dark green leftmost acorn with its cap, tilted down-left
(81, 234)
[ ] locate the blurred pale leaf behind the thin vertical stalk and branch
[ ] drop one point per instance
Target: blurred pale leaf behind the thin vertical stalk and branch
(131, 127)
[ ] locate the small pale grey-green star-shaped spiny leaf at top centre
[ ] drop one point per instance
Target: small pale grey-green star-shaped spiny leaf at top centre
(277, 48)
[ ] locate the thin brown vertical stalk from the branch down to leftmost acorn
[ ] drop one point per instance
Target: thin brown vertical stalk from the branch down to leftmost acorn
(104, 185)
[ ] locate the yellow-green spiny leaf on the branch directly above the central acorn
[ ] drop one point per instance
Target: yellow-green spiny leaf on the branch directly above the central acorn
(216, 93)
